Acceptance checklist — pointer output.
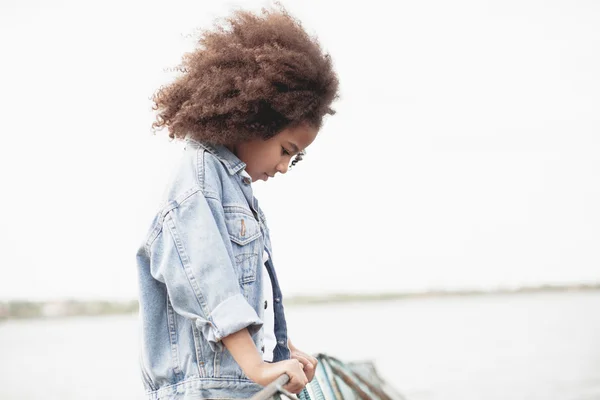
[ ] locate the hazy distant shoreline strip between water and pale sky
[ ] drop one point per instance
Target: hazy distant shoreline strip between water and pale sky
(19, 309)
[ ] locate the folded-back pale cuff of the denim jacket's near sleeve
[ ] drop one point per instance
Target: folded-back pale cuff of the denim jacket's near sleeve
(230, 316)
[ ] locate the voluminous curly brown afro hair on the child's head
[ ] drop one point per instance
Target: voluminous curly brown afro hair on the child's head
(251, 77)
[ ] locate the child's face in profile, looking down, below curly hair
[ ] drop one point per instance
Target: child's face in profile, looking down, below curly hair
(264, 158)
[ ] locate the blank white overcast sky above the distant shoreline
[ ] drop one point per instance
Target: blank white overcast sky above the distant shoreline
(465, 151)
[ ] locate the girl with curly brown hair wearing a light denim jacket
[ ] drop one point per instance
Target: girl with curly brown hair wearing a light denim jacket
(248, 102)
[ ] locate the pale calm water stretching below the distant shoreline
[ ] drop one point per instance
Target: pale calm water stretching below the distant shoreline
(530, 346)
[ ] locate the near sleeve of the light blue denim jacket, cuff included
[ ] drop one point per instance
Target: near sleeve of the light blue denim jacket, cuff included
(190, 257)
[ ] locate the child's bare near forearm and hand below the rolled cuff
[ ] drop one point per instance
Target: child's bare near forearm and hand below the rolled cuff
(243, 350)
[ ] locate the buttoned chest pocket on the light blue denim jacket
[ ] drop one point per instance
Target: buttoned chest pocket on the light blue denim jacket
(244, 232)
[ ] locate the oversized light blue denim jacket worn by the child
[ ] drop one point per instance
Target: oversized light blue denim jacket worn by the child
(200, 277)
